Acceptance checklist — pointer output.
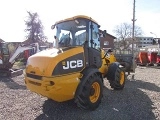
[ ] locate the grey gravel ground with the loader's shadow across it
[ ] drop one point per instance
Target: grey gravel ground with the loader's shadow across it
(139, 100)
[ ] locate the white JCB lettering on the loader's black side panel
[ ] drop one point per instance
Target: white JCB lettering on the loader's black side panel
(72, 64)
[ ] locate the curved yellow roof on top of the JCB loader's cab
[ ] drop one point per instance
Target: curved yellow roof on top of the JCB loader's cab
(75, 17)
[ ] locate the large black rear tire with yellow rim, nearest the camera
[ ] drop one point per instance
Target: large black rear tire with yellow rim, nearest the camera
(91, 94)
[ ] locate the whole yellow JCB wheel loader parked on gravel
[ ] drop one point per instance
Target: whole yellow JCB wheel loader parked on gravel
(76, 66)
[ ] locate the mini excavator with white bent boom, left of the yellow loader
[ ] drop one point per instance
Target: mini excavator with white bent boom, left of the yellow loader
(7, 61)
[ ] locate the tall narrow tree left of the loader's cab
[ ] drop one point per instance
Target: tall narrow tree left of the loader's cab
(34, 27)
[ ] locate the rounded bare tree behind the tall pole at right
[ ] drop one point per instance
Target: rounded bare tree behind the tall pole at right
(124, 33)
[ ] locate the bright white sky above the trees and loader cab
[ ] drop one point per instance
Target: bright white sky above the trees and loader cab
(108, 13)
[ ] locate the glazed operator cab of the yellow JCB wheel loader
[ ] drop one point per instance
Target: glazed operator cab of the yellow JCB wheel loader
(80, 31)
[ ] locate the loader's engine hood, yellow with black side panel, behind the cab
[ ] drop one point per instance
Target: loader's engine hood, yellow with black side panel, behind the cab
(52, 61)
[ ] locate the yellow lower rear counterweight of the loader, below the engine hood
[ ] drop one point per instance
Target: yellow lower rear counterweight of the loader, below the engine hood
(63, 89)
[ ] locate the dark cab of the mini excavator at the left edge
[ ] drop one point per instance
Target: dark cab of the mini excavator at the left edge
(4, 53)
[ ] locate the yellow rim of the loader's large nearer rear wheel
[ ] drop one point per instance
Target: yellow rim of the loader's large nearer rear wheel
(94, 92)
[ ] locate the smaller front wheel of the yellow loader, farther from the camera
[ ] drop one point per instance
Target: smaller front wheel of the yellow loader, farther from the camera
(116, 76)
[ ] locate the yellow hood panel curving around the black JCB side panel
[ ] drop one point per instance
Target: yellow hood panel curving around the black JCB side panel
(44, 66)
